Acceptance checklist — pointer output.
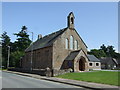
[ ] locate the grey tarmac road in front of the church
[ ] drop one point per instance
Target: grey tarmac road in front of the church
(10, 80)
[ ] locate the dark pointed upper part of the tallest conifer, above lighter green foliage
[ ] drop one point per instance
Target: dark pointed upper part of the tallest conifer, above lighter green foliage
(23, 40)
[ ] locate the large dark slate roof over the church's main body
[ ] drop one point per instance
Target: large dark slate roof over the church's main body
(45, 41)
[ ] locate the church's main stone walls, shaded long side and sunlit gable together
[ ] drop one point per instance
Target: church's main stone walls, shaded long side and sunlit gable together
(54, 56)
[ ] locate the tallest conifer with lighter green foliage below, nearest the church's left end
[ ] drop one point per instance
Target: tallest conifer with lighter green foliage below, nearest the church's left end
(19, 46)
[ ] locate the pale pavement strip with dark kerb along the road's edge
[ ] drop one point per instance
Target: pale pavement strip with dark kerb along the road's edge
(87, 85)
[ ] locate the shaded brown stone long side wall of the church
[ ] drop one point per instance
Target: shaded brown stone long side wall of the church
(42, 58)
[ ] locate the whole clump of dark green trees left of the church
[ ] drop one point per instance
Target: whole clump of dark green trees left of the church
(17, 48)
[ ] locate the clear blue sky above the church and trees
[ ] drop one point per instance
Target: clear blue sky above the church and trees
(96, 22)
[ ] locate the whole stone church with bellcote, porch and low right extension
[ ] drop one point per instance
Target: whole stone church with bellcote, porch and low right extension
(60, 50)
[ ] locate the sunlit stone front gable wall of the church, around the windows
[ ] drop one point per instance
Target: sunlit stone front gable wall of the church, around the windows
(59, 50)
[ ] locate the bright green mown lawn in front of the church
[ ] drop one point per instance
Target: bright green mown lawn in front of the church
(105, 77)
